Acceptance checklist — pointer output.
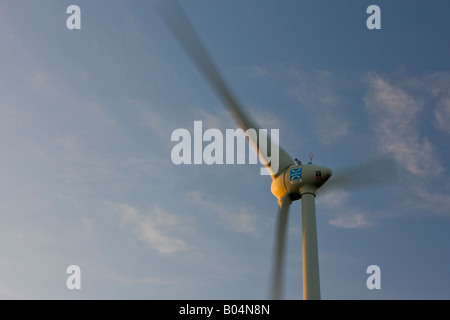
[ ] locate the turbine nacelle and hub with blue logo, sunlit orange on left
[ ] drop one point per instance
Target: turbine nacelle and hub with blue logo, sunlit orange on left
(300, 179)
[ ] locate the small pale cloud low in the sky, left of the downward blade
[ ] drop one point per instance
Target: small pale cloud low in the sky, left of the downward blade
(156, 228)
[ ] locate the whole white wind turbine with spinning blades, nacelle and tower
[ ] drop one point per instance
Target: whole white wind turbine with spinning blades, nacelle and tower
(292, 180)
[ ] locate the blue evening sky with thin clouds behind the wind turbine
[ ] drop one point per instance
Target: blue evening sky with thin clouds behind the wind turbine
(87, 179)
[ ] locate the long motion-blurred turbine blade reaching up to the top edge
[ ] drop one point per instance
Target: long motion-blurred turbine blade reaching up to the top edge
(174, 16)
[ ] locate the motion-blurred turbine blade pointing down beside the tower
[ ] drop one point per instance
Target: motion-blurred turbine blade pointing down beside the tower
(280, 246)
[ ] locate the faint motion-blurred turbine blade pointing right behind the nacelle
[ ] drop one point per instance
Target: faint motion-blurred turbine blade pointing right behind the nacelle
(377, 173)
